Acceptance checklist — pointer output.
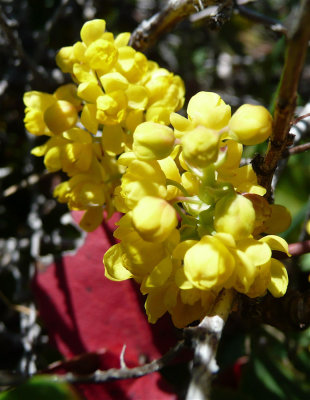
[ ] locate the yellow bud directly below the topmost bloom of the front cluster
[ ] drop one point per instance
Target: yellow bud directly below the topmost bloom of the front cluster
(200, 146)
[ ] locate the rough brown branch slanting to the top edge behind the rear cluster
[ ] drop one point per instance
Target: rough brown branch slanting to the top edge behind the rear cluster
(175, 11)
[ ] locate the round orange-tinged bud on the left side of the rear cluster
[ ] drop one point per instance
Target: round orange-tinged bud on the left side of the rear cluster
(60, 116)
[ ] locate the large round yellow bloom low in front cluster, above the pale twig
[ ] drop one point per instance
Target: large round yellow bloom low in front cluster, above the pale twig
(208, 264)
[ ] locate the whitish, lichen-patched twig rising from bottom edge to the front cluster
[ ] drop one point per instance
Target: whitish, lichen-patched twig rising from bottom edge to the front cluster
(205, 339)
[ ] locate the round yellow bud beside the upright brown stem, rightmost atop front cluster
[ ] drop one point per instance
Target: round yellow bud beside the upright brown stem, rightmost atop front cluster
(250, 124)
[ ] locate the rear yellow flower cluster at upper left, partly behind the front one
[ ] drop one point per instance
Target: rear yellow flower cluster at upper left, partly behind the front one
(91, 121)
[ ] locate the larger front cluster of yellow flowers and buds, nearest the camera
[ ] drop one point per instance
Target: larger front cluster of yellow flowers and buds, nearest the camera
(195, 221)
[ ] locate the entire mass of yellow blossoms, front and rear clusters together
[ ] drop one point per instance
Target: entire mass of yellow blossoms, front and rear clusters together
(194, 221)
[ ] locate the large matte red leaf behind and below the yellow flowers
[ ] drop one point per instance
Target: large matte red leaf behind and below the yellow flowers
(85, 312)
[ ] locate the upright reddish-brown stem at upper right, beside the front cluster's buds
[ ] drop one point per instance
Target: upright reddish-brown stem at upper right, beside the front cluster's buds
(297, 46)
